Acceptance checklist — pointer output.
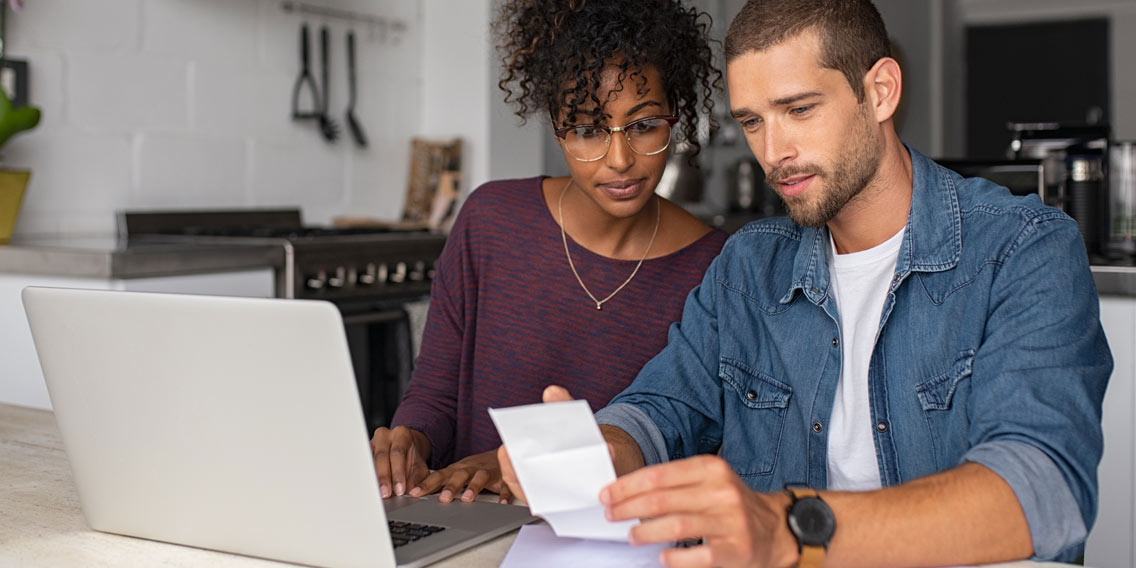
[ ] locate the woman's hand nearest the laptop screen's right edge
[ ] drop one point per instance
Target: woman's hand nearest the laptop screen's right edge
(400, 460)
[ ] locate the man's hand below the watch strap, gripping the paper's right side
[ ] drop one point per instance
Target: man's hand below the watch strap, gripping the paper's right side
(703, 498)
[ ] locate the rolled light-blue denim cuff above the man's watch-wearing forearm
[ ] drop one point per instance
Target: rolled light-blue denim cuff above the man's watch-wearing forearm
(1056, 524)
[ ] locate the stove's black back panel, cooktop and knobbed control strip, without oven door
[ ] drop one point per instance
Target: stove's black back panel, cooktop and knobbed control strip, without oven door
(320, 263)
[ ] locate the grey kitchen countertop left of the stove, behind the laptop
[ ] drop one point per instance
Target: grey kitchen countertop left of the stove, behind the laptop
(105, 257)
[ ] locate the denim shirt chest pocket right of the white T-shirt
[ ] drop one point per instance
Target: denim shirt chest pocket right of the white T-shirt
(943, 400)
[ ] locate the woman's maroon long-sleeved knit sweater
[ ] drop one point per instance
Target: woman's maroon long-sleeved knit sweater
(508, 319)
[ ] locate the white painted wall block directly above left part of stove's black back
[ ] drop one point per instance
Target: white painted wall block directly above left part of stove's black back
(181, 171)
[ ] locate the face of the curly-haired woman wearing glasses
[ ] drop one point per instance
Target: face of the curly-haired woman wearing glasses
(623, 182)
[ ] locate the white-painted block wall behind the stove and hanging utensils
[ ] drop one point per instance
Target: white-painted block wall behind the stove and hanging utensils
(158, 104)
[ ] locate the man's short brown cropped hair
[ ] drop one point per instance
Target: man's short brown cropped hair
(853, 34)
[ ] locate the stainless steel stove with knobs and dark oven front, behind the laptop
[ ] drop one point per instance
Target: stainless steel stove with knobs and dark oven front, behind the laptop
(369, 273)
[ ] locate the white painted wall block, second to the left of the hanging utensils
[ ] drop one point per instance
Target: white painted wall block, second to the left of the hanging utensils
(128, 94)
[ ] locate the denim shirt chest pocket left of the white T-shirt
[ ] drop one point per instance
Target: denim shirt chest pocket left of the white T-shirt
(759, 403)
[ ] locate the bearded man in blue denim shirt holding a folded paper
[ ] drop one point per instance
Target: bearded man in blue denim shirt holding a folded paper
(920, 355)
